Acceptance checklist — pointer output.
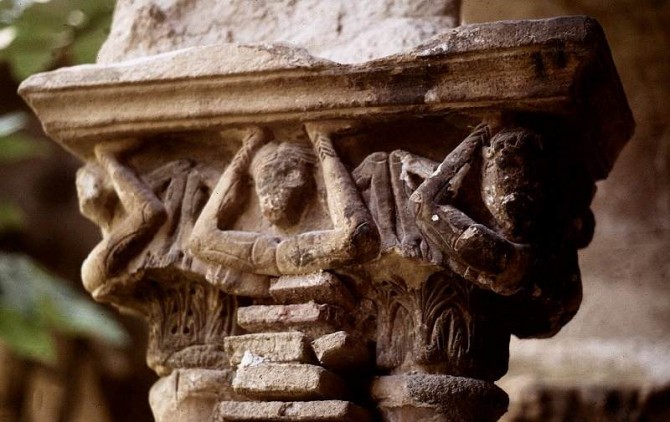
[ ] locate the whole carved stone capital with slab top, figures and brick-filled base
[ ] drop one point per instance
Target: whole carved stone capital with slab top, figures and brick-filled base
(317, 241)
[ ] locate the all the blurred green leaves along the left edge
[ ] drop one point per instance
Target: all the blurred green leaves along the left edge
(39, 35)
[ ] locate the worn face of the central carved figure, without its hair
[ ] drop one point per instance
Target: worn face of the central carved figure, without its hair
(282, 185)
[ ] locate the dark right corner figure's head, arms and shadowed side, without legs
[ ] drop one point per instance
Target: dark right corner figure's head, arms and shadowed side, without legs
(519, 244)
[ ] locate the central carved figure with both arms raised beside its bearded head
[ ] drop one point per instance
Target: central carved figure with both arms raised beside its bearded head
(283, 178)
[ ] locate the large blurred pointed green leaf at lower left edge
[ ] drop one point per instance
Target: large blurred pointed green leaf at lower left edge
(33, 304)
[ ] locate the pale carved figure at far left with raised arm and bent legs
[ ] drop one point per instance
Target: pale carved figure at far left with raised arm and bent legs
(168, 199)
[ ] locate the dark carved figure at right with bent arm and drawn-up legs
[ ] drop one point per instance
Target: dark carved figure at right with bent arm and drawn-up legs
(443, 234)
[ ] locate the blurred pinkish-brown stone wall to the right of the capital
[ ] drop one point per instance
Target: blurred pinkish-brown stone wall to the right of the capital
(622, 326)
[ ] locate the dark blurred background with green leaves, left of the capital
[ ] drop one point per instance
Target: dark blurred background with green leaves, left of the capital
(62, 356)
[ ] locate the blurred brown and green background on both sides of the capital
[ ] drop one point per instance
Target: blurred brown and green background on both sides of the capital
(65, 358)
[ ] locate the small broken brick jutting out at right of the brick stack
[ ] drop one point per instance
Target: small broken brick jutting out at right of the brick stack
(341, 351)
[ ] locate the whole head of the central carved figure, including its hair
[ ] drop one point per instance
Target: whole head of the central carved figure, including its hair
(283, 179)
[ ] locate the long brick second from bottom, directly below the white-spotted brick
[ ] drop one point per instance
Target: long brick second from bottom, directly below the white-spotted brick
(287, 381)
